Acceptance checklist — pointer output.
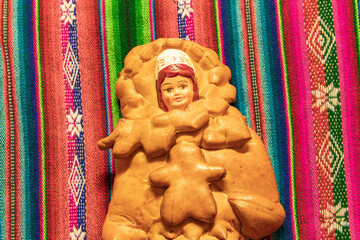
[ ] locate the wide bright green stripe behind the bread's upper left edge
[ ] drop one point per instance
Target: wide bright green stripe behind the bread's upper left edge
(127, 26)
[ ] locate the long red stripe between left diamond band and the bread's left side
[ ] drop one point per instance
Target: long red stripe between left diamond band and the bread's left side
(94, 117)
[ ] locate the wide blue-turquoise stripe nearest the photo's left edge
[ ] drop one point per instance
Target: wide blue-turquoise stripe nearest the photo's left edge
(28, 122)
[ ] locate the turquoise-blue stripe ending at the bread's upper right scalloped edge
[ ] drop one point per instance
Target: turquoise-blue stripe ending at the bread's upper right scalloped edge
(237, 58)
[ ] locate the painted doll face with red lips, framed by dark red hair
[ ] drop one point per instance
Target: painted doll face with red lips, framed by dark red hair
(177, 92)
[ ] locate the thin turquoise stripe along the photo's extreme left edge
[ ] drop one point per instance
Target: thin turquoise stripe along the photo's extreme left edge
(2, 154)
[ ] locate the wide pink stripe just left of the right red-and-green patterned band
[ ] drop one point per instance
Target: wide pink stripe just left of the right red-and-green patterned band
(304, 152)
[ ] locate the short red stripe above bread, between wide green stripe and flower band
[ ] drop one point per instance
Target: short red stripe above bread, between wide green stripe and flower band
(166, 19)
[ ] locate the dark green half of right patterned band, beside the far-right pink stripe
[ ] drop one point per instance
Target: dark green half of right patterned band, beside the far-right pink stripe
(335, 124)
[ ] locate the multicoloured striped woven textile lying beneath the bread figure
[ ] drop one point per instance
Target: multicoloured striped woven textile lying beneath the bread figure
(295, 64)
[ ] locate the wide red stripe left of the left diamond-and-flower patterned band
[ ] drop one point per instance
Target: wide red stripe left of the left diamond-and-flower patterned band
(55, 120)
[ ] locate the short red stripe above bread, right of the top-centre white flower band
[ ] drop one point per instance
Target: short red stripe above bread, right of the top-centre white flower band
(204, 23)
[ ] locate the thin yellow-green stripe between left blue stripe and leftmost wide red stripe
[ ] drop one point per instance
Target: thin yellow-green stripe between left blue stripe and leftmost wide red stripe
(42, 123)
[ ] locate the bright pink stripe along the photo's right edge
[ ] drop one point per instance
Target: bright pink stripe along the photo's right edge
(350, 104)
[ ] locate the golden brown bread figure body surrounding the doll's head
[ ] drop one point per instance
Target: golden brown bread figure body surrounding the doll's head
(171, 181)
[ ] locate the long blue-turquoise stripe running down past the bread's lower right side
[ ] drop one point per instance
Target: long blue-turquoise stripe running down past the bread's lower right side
(274, 102)
